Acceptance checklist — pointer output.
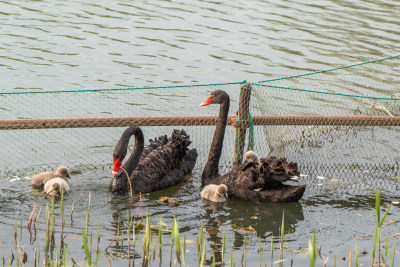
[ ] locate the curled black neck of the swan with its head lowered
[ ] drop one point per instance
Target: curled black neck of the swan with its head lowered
(122, 147)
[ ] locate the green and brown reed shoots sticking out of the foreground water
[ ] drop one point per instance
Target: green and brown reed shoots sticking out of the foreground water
(156, 249)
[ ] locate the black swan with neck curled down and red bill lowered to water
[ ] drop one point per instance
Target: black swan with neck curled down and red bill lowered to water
(163, 163)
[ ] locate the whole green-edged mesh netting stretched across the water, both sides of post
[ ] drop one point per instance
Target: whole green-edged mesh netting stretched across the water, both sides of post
(319, 149)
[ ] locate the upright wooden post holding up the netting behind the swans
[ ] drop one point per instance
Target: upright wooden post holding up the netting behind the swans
(242, 123)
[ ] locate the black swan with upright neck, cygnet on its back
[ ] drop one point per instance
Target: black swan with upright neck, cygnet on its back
(249, 181)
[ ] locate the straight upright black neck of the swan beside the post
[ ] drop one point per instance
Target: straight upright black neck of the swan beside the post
(210, 171)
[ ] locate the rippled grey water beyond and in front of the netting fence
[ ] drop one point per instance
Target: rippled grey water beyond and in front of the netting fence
(47, 45)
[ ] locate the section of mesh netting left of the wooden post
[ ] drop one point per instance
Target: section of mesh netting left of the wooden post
(36, 149)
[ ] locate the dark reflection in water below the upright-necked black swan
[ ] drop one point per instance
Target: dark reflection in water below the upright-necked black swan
(235, 216)
